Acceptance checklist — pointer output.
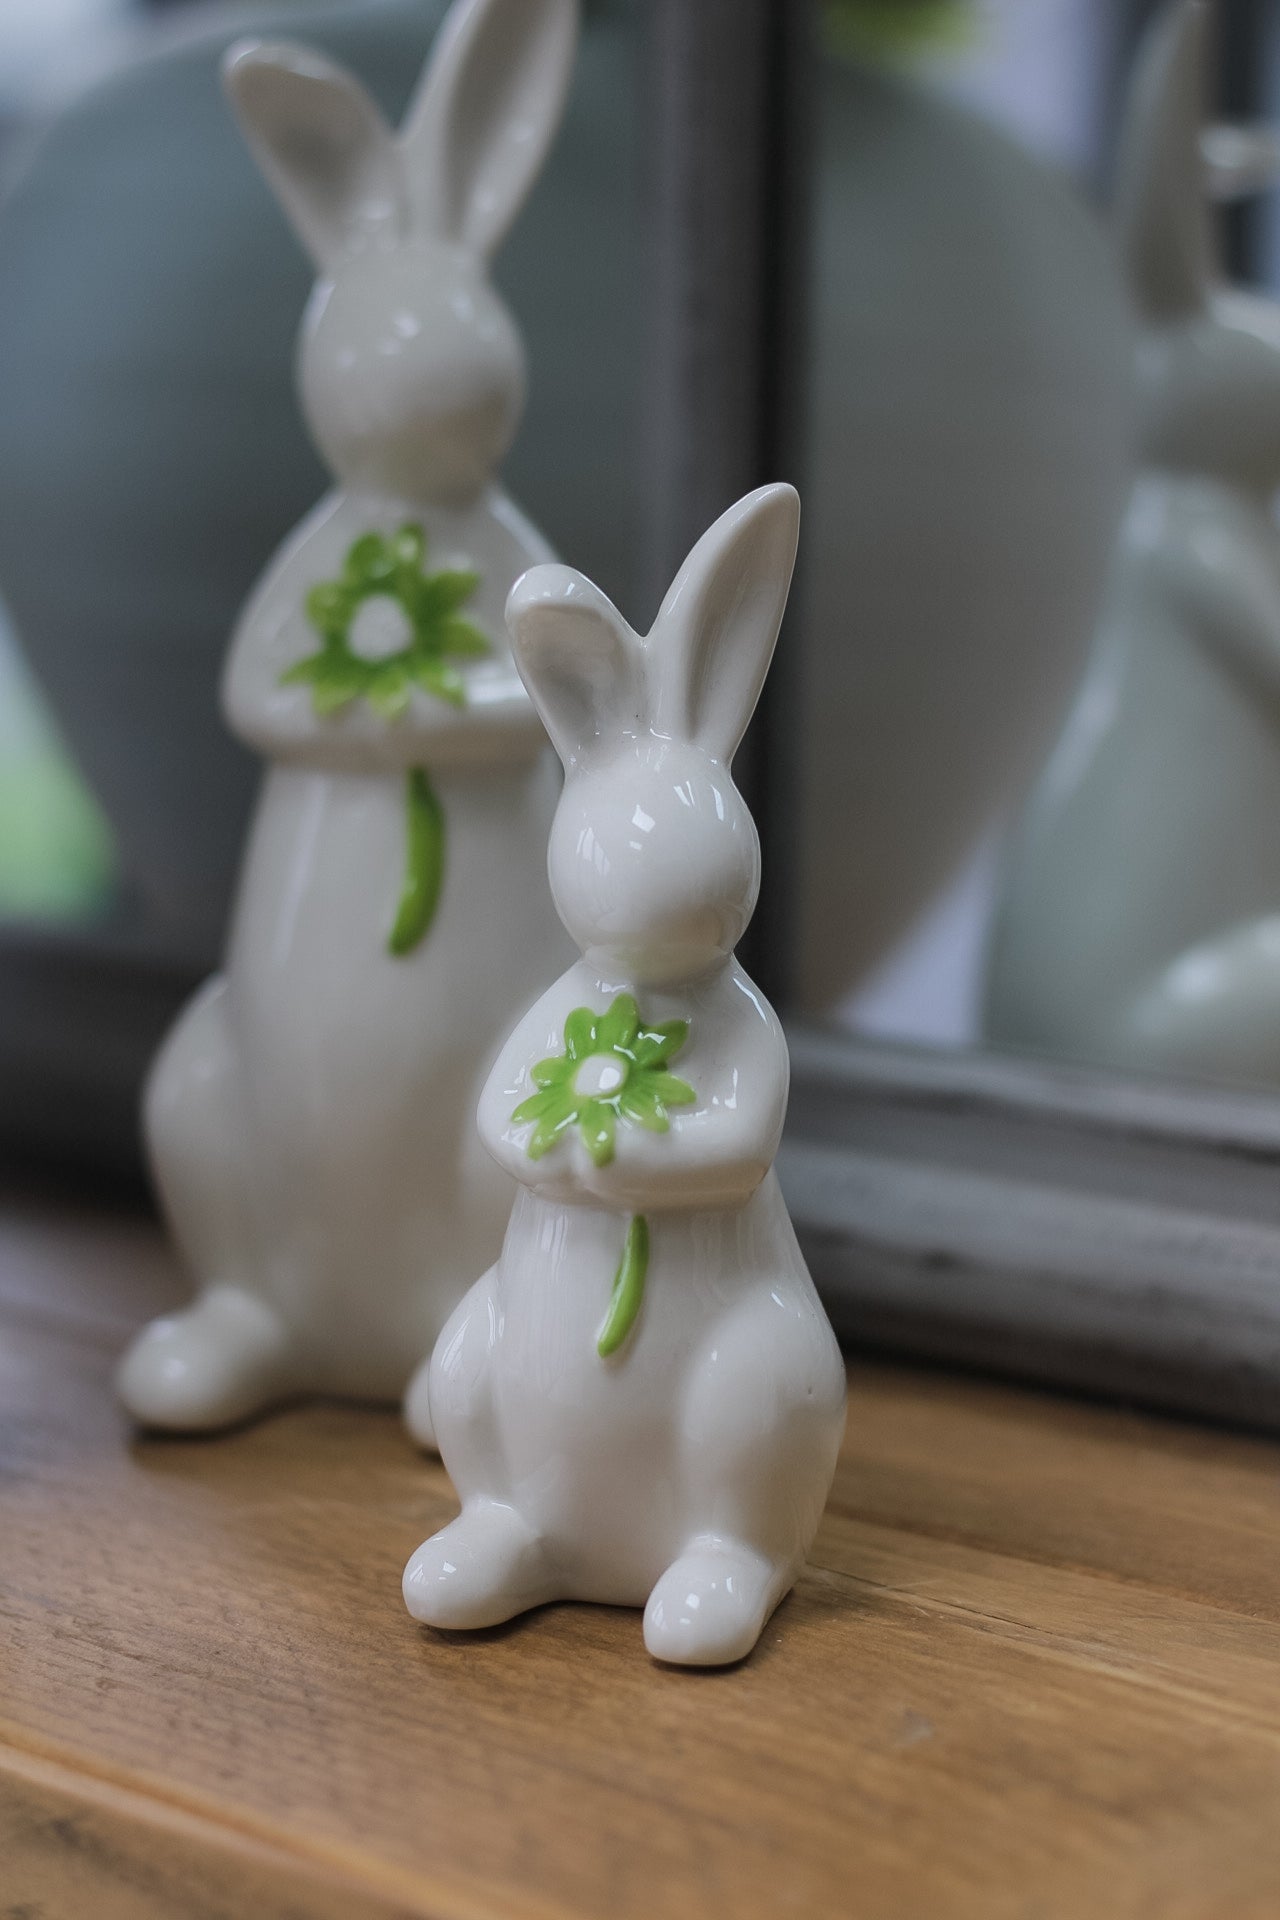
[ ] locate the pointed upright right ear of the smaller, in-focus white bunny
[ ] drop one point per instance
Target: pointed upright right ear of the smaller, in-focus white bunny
(721, 621)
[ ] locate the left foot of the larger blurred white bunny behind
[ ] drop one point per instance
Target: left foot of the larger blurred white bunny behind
(224, 1360)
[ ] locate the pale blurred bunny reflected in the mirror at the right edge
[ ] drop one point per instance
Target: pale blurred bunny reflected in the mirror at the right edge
(1141, 915)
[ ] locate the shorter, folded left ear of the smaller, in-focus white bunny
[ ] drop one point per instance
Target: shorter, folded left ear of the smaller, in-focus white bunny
(579, 658)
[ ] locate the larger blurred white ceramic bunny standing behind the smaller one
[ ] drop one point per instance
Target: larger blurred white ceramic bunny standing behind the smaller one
(310, 1118)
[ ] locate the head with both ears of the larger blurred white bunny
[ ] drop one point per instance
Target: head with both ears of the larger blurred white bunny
(412, 368)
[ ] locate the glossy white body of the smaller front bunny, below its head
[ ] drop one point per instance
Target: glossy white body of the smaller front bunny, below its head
(715, 1435)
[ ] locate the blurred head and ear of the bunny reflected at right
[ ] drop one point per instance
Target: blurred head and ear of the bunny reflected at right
(1208, 354)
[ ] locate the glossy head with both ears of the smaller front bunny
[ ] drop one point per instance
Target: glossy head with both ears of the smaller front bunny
(655, 859)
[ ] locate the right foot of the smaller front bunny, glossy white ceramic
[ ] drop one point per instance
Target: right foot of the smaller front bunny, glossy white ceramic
(711, 1604)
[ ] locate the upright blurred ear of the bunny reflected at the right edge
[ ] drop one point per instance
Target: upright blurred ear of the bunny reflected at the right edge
(1162, 204)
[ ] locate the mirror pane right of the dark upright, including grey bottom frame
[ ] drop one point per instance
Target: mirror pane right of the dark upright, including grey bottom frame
(1035, 894)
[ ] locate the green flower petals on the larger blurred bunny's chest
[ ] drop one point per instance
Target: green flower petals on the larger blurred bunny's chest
(389, 567)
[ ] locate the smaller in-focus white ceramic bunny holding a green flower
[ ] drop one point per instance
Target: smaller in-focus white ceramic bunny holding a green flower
(671, 1445)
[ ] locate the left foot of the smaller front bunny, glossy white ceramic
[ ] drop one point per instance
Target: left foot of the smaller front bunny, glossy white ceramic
(479, 1572)
